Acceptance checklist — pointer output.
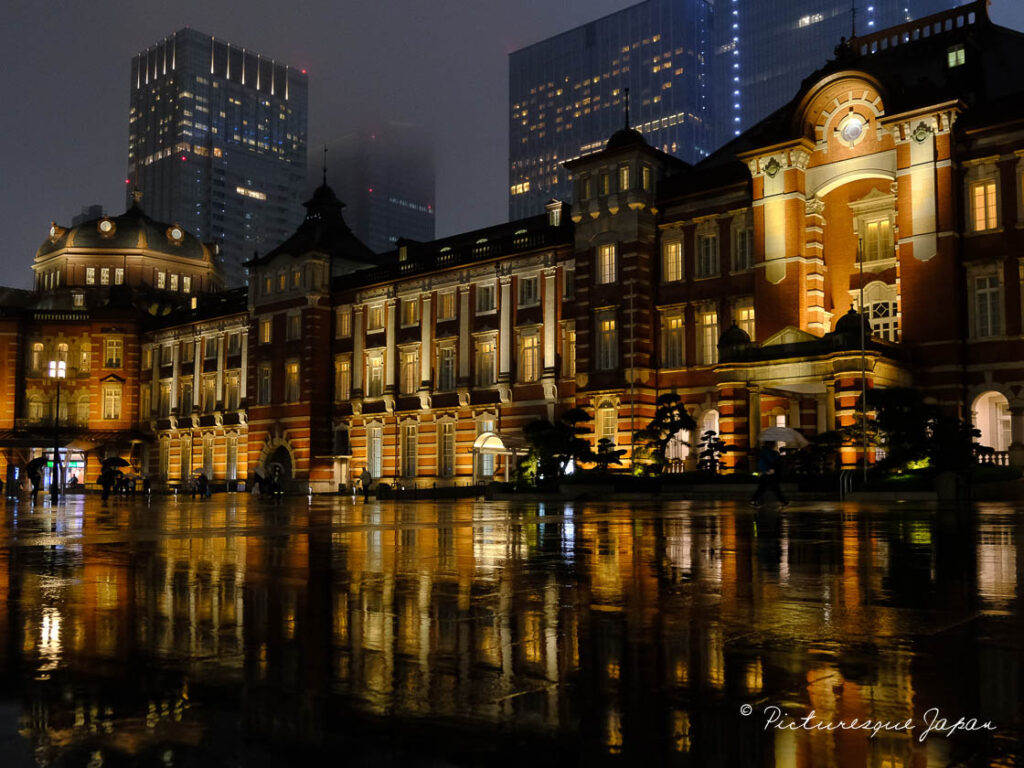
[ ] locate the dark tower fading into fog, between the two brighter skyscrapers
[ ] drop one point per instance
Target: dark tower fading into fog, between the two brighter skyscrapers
(386, 177)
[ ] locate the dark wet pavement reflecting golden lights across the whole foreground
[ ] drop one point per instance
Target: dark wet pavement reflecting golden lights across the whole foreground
(235, 631)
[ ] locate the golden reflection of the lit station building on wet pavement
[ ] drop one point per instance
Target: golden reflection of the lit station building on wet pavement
(648, 633)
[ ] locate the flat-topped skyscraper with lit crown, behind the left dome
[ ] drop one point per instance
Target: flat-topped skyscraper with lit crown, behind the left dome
(218, 144)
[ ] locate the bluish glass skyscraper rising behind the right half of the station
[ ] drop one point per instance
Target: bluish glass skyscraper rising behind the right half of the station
(699, 73)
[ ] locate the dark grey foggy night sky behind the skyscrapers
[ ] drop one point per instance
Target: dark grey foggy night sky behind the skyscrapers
(65, 67)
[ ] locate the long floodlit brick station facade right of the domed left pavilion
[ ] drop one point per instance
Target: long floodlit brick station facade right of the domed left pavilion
(732, 283)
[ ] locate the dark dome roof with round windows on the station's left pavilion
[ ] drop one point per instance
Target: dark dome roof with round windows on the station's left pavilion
(133, 230)
